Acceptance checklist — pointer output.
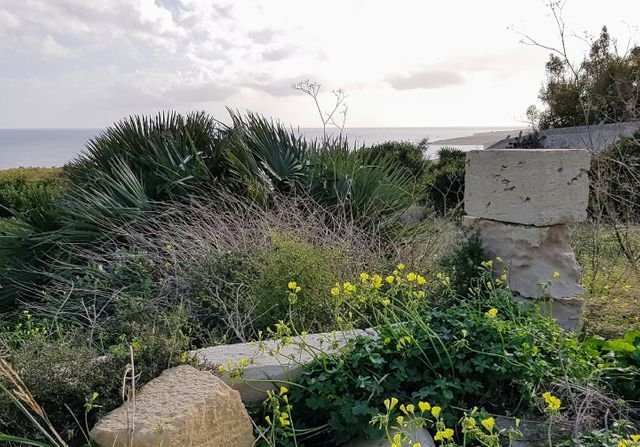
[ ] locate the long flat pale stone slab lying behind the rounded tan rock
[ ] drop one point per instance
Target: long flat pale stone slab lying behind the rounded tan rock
(269, 362)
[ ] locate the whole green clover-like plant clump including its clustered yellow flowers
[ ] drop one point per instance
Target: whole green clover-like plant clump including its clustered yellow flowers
(488, 353)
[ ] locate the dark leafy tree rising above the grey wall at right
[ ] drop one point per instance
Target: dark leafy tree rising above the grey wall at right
(602, 89)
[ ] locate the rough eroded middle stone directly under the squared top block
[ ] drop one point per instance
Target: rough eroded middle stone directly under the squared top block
(532, 255)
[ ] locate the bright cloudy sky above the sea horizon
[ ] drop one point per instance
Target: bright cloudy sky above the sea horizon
(88, 63)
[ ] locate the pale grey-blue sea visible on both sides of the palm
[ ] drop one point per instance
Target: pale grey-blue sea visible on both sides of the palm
(56, 147)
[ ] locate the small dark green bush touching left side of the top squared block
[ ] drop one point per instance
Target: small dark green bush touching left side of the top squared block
(445, 181)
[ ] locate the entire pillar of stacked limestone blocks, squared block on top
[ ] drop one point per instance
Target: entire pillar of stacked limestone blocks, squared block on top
(521, 201)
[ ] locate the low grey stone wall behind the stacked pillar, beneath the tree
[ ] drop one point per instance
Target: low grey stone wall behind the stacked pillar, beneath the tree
(594, 138)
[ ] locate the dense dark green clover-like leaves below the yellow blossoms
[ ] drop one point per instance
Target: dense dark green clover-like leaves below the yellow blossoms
(458, 358)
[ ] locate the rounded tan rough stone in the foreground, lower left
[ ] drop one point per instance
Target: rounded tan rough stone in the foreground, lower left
(182, 407)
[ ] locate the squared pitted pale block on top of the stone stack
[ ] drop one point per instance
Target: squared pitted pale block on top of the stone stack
(527, 186)
